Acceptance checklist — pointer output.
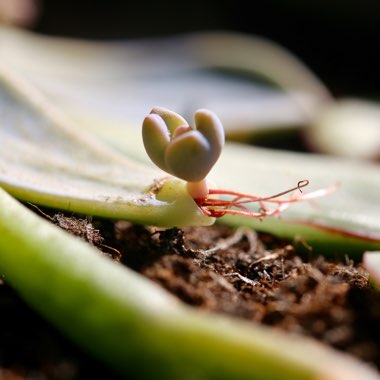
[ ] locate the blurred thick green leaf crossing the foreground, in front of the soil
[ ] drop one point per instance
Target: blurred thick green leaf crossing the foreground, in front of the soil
(137, 327)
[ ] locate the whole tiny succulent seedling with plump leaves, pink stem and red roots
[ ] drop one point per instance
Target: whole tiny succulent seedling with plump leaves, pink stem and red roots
(189, 153)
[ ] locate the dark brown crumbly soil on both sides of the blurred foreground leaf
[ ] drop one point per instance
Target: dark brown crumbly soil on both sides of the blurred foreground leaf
(232, 271)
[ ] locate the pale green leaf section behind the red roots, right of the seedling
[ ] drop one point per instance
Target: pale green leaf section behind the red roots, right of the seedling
(346, 221)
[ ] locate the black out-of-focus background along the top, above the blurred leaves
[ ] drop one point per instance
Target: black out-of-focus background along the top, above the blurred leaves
(339, 40)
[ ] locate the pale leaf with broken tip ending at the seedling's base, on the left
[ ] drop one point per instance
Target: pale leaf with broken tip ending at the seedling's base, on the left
(45, 159)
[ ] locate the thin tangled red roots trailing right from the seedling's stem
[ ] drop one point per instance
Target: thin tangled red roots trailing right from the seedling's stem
(219, 207)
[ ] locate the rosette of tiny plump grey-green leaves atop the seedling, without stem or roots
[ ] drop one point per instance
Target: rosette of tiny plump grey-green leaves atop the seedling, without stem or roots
(179, 149)
